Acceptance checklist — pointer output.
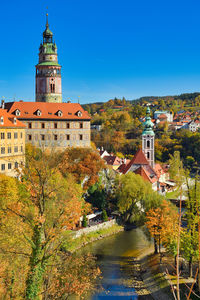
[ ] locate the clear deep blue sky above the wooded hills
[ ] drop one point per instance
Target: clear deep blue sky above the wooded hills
(107, 48)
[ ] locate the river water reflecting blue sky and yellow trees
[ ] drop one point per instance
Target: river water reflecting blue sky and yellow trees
(116, 256)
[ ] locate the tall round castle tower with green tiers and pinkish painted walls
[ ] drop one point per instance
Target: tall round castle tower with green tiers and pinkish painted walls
(48, 71)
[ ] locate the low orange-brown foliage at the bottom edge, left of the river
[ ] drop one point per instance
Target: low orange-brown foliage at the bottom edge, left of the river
(70, 275)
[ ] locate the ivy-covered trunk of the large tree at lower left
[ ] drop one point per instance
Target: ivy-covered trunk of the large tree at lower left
(34, 281)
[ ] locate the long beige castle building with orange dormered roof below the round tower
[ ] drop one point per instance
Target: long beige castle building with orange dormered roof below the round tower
(53, 125)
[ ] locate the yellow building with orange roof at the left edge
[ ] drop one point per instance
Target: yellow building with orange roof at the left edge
(12, 143)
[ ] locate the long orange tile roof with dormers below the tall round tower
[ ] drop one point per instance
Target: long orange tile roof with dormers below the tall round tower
(48, 110)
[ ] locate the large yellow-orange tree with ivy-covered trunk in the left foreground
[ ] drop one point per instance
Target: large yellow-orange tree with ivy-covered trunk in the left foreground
(45, 205)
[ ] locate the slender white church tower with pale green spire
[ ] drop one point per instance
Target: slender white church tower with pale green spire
(148, 139)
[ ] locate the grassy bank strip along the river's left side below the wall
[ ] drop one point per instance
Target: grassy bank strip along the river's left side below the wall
(72, 245)
